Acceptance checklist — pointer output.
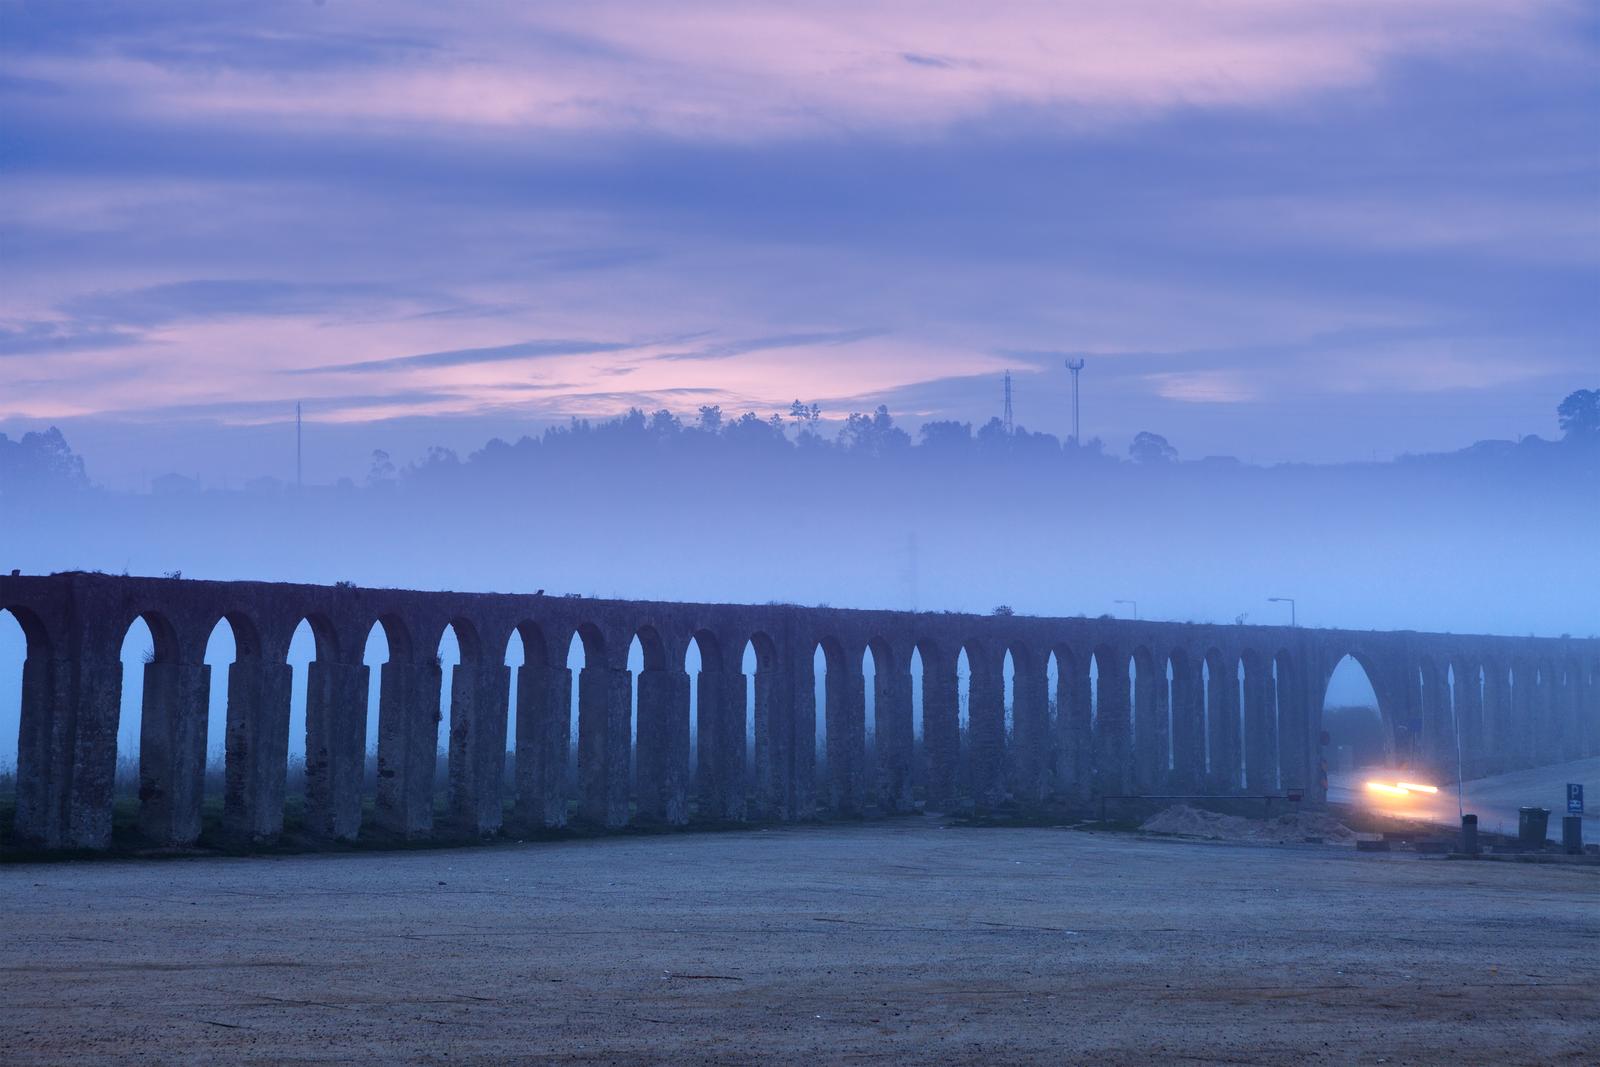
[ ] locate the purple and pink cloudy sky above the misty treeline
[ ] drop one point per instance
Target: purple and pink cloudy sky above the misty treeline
(1276, 228)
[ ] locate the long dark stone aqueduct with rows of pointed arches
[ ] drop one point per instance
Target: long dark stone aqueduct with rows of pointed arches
(1044, 709)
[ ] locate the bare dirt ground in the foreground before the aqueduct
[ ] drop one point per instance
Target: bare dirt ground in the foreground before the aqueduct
(897, 941)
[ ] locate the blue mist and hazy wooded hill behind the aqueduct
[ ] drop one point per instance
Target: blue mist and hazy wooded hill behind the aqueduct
(1495, 538)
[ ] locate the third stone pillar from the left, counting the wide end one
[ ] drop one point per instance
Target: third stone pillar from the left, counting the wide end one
(258, 749)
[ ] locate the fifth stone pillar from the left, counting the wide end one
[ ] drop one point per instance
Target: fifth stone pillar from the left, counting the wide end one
(407, 746)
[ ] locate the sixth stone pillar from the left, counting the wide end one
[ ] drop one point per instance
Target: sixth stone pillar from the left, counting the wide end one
(478, 746)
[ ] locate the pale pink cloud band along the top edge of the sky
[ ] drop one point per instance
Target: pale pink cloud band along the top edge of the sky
(742, 71)
